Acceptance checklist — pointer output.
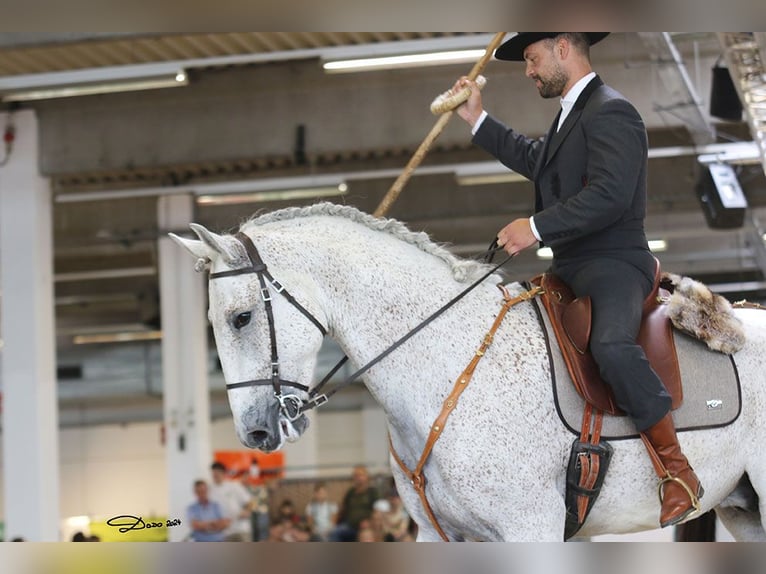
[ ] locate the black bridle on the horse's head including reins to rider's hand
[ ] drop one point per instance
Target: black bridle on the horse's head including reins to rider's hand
(292, 406)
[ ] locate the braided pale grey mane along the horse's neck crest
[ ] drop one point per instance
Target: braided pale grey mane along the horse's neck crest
(463, 270)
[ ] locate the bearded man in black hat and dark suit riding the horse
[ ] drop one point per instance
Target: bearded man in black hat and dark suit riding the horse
(590, 204)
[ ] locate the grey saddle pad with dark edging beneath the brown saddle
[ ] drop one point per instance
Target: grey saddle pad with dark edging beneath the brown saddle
(712, 395)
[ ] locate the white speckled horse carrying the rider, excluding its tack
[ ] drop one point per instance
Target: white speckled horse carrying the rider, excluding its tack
(498, 470)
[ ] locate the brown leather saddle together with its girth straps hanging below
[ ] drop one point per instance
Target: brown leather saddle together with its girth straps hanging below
(570, 318)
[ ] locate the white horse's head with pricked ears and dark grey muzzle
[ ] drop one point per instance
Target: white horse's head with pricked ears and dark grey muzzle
(243, 338)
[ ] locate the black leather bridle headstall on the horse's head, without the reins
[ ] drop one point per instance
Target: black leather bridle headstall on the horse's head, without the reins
(290, 405)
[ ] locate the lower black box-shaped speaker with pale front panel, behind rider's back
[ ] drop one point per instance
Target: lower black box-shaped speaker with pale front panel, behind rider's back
(721, 197)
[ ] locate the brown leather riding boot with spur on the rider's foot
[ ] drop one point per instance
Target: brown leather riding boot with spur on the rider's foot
(679, 488)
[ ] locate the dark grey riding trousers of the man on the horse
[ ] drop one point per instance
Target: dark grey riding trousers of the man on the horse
(618, 289)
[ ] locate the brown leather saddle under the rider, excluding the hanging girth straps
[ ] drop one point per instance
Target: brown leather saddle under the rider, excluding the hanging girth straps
(570, 318)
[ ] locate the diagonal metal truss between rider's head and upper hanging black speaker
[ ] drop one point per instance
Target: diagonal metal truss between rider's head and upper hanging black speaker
(685, 102)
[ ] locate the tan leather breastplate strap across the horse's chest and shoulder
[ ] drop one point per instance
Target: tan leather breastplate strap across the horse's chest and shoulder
(417, 478)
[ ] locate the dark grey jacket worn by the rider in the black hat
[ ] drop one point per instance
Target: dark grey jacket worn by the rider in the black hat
(590, 176)
